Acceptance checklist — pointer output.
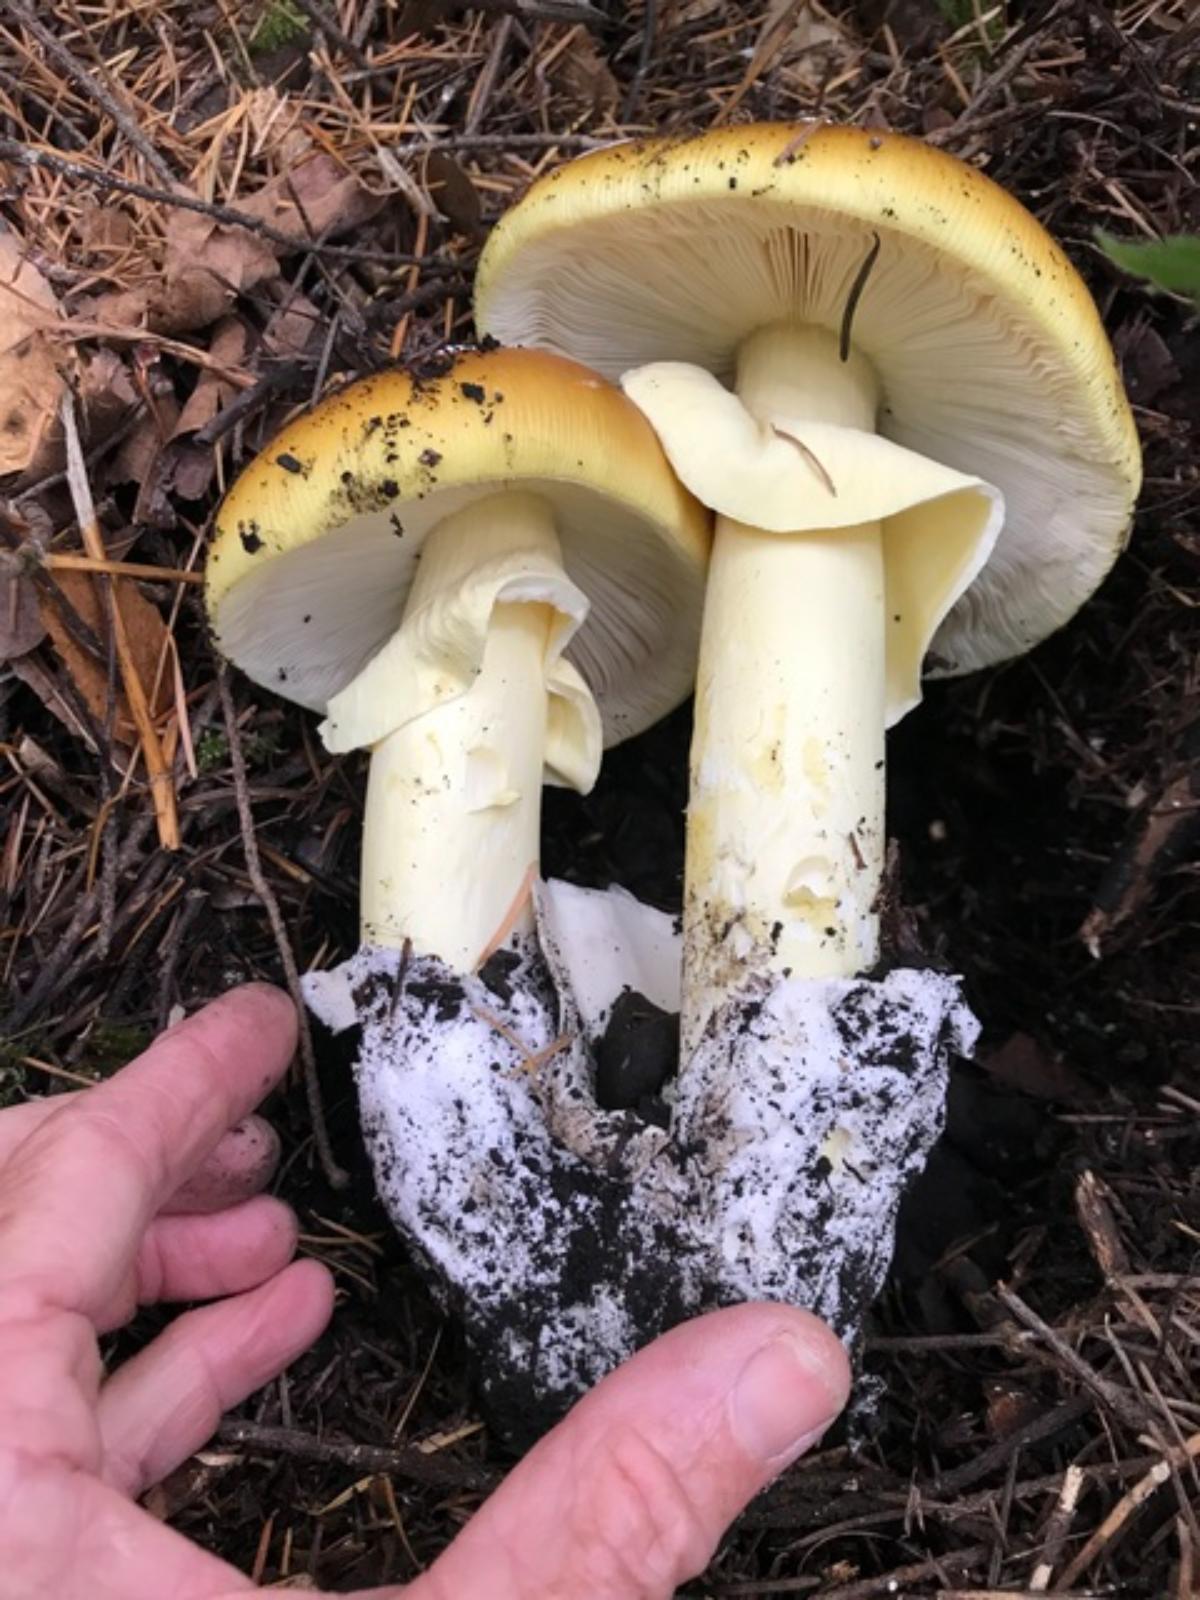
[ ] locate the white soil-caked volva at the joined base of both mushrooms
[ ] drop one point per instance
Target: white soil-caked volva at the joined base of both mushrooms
(567, 1236)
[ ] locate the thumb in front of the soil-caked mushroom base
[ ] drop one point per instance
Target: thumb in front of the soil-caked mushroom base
(633, 1494)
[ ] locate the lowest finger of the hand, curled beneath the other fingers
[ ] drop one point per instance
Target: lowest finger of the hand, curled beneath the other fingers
(166, 1402)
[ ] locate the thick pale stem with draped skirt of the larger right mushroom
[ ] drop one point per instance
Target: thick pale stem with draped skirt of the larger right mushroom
(838, 556)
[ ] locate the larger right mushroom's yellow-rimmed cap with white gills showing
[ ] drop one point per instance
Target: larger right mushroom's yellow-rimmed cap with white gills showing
(988, 346)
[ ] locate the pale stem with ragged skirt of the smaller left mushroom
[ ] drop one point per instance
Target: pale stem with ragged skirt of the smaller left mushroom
(468, 710)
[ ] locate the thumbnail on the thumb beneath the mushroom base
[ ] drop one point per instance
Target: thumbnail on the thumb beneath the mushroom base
(785, 1401)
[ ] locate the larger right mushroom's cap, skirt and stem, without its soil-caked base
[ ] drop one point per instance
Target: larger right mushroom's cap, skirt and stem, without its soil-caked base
(897, 394)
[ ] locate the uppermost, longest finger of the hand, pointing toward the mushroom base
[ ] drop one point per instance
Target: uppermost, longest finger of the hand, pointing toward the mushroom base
(116, 1154)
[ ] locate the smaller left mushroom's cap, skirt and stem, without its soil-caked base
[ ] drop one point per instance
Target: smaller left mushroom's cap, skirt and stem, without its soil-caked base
(415, 559)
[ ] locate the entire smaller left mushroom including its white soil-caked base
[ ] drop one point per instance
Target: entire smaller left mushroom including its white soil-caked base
(481, 577)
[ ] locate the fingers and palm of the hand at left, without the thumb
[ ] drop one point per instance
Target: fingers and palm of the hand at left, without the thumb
(95, 1222)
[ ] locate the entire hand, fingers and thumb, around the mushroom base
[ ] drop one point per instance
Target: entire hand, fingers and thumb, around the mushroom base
(623, 1502)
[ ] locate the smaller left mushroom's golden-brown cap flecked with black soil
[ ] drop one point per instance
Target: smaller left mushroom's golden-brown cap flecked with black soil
(318, 543)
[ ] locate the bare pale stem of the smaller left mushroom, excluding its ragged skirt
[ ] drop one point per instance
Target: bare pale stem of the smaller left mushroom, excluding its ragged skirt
(454, 801)
